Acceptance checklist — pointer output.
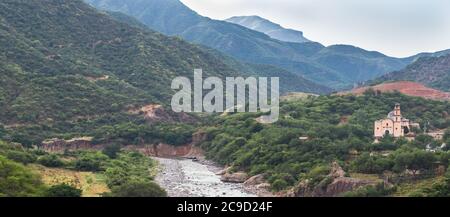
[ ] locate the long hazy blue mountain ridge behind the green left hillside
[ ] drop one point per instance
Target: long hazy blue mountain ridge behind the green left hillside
(337, 66)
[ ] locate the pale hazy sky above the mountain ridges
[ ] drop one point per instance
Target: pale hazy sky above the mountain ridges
(395, 27)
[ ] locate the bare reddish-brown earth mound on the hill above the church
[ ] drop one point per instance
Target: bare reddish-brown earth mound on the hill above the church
(406, 87)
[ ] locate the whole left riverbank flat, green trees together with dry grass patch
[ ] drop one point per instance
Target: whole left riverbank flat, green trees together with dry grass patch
(72, 174)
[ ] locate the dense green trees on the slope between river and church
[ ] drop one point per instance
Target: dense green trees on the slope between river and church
(336, 127)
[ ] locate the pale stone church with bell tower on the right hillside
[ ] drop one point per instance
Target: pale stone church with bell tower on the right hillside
(395, 125)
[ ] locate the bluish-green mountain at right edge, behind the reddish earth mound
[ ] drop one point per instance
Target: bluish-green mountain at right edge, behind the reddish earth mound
(430, 71)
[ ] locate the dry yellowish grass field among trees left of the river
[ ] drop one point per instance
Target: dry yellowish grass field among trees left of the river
(92, 184)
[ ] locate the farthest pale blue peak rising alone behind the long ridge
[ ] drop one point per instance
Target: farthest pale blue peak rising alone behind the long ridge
(271, 29)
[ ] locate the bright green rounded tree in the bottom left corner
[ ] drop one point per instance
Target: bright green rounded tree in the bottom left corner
(18, 181)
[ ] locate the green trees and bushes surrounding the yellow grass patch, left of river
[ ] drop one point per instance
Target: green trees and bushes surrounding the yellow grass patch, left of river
(127, 173)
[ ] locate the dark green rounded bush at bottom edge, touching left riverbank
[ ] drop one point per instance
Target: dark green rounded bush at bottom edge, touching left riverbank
(138, 189)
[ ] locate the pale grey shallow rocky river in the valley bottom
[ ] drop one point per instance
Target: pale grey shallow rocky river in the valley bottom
(187, 178)
